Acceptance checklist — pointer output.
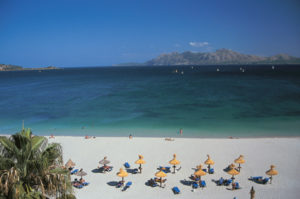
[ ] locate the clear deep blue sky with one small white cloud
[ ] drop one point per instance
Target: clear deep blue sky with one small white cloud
(70, 33)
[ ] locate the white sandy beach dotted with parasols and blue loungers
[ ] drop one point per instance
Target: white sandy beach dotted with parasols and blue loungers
(259, 154)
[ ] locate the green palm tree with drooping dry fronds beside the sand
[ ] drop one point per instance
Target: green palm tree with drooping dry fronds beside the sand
(32, 168)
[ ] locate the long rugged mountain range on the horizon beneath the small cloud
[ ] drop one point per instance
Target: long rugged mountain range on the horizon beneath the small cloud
(221, 56)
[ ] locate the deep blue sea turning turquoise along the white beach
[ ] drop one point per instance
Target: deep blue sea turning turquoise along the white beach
(153, 101)
